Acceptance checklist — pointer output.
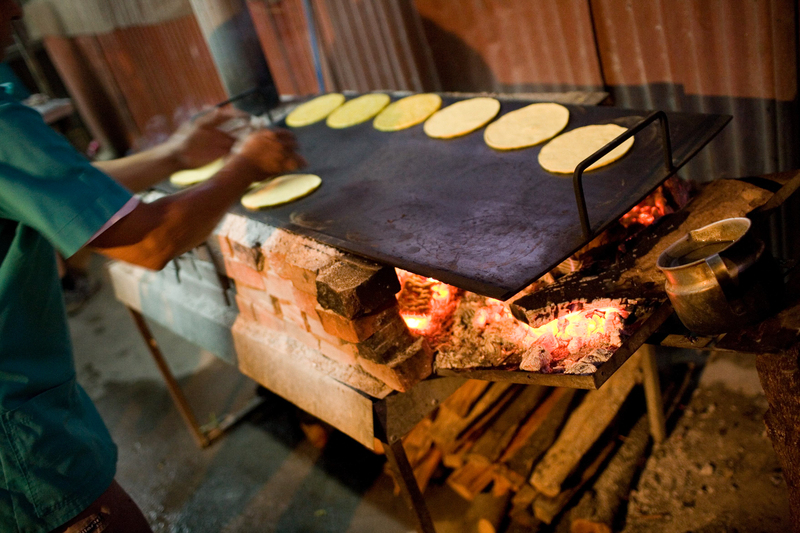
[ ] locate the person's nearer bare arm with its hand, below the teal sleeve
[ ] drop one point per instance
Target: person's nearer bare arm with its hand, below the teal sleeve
(153, 233)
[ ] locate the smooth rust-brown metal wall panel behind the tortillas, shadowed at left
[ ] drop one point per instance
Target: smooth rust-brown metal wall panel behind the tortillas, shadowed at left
(512, 46)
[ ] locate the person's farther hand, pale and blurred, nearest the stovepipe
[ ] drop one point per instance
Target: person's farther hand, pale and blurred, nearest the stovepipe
(200, 142)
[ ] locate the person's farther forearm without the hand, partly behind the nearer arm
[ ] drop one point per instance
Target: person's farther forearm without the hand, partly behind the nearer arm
(139, 171)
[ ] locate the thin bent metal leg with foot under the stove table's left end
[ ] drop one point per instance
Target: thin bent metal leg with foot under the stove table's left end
(201, 436)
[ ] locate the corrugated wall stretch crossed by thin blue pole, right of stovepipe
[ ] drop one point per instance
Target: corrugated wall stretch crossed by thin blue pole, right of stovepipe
(364, 45)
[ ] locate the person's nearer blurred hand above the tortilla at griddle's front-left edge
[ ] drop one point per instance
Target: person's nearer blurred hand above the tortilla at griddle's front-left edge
(272, 151)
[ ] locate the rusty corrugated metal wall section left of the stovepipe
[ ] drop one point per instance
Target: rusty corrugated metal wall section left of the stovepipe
(133, 86)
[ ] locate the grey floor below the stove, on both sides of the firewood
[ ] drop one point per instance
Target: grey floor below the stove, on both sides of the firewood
(265, 476)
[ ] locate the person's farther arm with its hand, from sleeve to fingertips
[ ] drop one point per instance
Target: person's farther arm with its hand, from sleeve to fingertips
(195, 144)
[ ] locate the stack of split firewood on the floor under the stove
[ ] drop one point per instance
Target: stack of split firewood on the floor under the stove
(537, 450)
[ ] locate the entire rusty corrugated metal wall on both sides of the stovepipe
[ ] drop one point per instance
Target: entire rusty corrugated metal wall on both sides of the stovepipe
(734, 56)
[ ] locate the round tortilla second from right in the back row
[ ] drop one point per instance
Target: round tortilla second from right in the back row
(527, 126)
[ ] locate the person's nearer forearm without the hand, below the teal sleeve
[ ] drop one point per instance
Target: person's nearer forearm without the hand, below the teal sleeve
(154, 233)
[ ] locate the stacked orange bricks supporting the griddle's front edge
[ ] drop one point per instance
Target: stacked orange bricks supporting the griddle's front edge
(340, 305)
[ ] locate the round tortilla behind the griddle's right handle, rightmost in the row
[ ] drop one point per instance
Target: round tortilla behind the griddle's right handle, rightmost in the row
(565, 152)
